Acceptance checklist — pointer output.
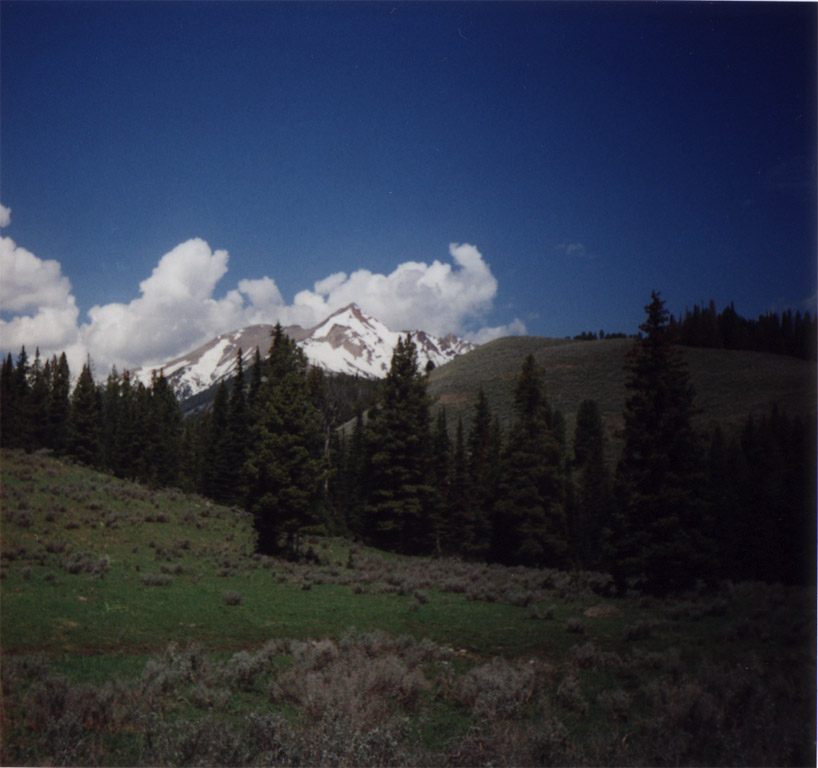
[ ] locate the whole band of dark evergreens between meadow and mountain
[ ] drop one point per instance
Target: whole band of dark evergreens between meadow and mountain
(680, 507)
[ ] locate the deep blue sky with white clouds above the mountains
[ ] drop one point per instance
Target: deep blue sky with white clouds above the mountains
(175, 170)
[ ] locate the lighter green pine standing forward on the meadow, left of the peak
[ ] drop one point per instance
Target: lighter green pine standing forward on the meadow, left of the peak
(284, 467)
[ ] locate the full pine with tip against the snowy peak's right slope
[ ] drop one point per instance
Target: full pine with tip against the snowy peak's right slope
(401, 496)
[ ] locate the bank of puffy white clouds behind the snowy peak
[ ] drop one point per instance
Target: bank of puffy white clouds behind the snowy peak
(178, 307)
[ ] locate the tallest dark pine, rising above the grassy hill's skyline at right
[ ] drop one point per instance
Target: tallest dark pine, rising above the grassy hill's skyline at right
(662, 532)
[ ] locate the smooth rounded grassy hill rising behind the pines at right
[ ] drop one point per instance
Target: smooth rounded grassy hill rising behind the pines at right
(729, 384)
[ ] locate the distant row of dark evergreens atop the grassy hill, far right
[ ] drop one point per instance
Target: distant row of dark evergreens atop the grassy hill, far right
(784, 334)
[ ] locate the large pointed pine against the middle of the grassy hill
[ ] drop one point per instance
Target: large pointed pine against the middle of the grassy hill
(529, 521)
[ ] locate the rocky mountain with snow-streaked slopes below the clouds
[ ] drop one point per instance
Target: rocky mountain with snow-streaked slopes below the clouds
(348, 341)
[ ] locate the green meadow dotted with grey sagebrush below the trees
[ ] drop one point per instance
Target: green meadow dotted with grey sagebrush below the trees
(138, 628)
